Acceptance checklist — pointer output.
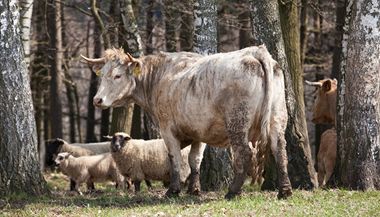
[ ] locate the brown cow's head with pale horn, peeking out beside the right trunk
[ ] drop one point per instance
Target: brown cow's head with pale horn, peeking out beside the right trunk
(325, 104)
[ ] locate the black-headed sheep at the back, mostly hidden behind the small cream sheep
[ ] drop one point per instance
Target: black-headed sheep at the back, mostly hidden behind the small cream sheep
(77, 150)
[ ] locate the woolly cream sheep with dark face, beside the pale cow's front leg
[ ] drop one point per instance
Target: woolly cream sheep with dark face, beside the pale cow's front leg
(146, 159)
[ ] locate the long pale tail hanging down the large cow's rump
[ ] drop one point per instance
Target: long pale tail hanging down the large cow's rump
(265, 59)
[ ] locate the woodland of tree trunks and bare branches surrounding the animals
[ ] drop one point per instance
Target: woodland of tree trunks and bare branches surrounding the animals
(311, 40)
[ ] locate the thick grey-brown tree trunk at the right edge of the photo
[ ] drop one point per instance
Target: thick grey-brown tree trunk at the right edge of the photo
(359, 111)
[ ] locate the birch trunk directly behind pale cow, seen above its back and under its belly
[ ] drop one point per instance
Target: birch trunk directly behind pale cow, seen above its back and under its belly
(216, 167)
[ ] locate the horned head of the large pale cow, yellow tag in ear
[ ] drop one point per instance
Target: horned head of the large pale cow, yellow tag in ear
(117, 82)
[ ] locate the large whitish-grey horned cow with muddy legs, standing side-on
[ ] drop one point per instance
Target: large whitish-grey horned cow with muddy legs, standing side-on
(222, 99)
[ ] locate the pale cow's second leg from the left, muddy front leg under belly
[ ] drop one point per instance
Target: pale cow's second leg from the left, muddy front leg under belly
(195, 160)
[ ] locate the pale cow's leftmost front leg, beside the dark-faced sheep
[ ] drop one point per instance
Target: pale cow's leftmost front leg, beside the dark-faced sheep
(174, 149)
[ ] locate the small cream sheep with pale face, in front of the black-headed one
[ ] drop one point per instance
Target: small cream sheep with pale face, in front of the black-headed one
(89, 169)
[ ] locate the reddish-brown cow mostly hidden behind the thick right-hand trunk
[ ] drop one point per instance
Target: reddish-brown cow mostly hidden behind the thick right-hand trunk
(325, 113)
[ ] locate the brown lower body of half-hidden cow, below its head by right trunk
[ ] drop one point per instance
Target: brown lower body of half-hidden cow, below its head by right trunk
(326, 156)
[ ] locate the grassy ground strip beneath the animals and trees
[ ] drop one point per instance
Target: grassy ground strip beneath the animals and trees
(108, 201)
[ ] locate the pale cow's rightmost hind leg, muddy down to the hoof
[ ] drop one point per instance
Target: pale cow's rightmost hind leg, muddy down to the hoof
(278, 147)
